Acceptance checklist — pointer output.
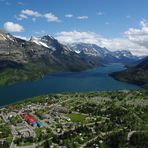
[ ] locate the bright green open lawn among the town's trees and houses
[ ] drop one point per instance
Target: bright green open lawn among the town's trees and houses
(76, 117)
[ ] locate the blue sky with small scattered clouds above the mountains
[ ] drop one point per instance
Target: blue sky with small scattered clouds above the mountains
(109, 20)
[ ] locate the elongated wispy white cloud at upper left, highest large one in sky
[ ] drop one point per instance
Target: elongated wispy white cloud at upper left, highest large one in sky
(35, 14)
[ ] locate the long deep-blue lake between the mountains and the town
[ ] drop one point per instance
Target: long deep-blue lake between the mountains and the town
(91, 80)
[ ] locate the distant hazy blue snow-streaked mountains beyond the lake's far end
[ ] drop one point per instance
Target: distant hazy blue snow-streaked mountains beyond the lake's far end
(124, 56)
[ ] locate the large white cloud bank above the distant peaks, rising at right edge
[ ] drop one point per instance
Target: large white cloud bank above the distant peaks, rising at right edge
(134, 39)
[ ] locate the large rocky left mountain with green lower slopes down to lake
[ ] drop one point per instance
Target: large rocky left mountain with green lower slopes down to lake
(29, 60)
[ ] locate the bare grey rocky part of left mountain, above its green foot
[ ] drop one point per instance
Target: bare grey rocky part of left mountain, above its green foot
(47, 51)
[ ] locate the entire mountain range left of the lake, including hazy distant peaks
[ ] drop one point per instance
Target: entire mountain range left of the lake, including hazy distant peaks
(28, 60)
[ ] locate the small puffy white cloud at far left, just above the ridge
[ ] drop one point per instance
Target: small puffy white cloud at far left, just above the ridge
(12, 27)
